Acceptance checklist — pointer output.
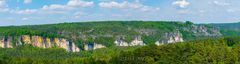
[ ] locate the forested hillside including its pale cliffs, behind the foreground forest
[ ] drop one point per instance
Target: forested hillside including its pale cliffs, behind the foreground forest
(93, 35)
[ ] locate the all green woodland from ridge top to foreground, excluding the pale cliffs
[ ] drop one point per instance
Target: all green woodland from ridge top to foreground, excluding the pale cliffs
(203, 43)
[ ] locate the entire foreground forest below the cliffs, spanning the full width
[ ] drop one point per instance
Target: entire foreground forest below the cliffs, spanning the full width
(211, 50)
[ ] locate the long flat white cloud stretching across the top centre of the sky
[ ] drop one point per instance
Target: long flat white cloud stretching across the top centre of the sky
(126, 5)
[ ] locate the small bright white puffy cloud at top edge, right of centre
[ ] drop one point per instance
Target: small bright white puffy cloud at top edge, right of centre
(181, 3)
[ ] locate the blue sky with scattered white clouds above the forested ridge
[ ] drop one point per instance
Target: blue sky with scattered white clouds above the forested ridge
(29, 12)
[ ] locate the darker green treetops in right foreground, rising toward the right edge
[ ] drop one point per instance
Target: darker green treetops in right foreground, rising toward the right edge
(206, 51)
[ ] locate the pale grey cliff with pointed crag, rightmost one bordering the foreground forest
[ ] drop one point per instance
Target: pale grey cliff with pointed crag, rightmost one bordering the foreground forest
(171, 37)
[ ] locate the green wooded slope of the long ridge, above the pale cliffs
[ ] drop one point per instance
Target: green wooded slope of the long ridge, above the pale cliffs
(106, 32)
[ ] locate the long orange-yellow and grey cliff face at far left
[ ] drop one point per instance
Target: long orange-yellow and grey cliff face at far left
(38, 41)
